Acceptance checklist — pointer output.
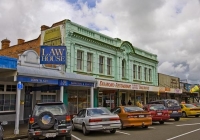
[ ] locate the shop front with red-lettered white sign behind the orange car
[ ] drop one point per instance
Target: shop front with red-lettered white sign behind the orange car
(112, 94)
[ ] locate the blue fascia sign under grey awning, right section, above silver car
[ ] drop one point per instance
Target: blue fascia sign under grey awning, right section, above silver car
(75, 83)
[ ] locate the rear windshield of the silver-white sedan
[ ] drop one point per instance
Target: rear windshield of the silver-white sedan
(97, 111)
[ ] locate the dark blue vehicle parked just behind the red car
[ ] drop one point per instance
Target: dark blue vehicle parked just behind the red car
(173, 107)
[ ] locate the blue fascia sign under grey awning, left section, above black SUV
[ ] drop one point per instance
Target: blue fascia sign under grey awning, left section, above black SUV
(37, 80)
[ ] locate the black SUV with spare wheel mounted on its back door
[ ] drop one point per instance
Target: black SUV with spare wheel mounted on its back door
(49, 120)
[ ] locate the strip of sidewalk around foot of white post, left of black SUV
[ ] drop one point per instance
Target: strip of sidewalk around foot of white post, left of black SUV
(9, 132)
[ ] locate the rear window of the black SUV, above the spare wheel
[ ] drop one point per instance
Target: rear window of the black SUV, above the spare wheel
(58, 109)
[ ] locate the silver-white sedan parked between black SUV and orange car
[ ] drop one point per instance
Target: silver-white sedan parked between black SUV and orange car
(95, 119)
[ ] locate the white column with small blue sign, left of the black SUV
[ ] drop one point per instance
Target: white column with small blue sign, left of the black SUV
(16, 131)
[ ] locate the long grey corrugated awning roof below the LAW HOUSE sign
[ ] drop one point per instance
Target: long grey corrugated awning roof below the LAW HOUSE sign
(53, 74)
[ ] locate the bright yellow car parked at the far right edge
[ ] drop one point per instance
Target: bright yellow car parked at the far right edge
(190, 110)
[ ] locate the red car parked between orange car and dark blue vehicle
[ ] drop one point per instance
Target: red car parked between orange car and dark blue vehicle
(158, 112)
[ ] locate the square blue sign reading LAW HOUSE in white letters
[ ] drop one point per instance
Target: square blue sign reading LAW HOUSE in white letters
(53, 55)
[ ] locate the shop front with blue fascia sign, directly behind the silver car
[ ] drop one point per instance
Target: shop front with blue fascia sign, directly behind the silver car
(77, 94)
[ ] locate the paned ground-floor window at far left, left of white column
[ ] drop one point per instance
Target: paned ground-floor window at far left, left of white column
(7, 102)
